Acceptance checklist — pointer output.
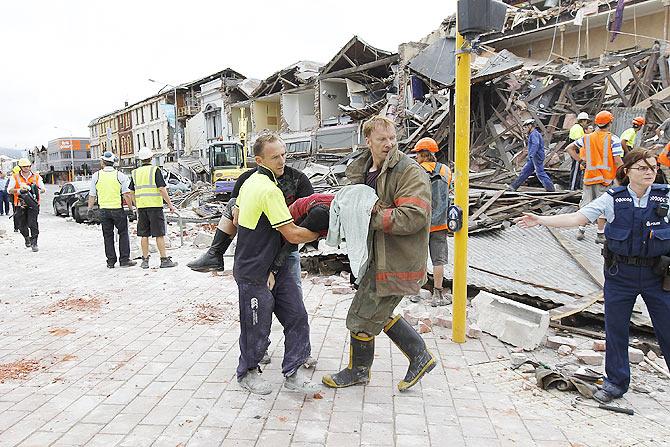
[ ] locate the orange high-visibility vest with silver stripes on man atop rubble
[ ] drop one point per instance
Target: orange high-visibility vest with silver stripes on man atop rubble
(597, 152)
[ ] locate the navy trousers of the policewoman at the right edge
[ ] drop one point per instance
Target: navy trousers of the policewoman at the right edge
(623, 283)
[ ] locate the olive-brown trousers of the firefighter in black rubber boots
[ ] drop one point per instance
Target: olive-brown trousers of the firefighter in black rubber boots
(369, 312)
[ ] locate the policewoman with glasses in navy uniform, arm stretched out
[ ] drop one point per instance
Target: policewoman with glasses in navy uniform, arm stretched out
(638, 234)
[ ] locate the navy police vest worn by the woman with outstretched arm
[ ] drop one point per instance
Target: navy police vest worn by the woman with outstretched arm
(637, 231)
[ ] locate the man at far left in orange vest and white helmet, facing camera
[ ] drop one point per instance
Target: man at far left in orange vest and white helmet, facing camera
(26, 186)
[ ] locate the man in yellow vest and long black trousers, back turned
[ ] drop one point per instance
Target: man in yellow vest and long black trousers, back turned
(108, 186)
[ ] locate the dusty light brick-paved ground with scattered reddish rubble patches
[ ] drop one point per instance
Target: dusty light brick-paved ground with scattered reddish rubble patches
(100, 357)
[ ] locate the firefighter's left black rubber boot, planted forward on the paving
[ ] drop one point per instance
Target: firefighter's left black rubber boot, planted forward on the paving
(361, 355)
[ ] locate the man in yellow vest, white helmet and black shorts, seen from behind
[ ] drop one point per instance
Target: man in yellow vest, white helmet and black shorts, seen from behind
(149, 191)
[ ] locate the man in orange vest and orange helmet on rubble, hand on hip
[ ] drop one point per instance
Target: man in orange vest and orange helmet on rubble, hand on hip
(599, 153)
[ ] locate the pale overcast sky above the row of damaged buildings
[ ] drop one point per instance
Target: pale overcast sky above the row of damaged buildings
(65, 62)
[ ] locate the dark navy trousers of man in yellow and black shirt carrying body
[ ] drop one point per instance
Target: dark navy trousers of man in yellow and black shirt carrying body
(257, 304)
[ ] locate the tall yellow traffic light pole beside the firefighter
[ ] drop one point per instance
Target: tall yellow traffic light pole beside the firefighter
(462, 165)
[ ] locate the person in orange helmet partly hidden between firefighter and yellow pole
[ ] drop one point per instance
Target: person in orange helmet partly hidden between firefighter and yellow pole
(440, 179)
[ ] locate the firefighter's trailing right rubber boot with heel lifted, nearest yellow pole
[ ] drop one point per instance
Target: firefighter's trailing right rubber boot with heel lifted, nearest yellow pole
(421, 361)
